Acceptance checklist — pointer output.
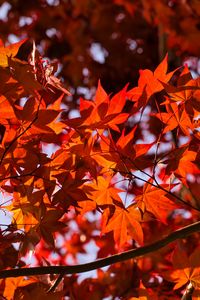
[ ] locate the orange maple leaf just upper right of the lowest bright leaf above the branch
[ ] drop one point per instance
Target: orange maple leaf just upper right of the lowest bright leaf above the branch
(154, 200)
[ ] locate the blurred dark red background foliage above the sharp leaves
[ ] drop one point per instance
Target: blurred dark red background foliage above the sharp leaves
(110, 40)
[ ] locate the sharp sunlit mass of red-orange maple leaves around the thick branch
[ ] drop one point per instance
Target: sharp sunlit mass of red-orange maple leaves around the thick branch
(122, 174)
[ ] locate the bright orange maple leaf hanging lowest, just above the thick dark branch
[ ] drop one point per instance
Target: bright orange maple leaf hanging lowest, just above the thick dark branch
(125, 224)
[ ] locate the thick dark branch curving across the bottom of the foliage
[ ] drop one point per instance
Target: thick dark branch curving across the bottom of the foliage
(178, 234)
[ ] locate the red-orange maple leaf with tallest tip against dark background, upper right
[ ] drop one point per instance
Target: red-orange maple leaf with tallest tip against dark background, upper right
(150, 82)
